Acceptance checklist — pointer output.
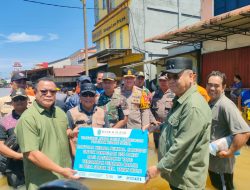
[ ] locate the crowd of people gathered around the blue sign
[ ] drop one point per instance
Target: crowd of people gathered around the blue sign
(183, 116)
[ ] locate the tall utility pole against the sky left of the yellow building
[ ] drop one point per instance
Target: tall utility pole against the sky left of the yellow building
(85, 37)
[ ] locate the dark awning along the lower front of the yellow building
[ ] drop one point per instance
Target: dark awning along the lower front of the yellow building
(109, 54)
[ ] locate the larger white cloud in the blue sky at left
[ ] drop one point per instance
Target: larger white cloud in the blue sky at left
(23, 37)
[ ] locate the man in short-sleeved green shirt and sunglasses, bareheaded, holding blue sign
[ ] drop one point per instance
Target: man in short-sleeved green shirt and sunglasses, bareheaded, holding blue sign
(41, 135)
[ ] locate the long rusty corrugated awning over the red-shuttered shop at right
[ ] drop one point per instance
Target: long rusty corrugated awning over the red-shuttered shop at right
(216, 28)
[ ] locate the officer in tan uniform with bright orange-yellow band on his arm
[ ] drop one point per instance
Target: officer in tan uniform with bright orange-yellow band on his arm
(138, 106)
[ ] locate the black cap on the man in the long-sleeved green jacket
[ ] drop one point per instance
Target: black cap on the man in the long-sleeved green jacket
(178, 64)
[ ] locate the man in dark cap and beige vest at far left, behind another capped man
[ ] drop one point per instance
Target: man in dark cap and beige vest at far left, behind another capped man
(18, 80)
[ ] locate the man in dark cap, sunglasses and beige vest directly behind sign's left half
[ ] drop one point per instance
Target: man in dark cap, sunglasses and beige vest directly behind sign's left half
(86, 114)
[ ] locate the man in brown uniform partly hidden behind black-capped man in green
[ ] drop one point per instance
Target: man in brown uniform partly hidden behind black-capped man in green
(161, 103)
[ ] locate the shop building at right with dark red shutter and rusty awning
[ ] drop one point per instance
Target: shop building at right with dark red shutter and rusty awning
(224, 38)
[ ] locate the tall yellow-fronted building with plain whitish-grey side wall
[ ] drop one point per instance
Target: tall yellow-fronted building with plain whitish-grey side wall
(121, 27)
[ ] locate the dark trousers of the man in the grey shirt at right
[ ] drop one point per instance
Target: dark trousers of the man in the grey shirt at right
(221, 180)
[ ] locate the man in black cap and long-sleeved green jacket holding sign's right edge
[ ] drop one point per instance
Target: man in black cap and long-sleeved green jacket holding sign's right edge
(184, 141)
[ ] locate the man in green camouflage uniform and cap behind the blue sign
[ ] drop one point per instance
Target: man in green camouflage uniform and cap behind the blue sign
(113, 103)
